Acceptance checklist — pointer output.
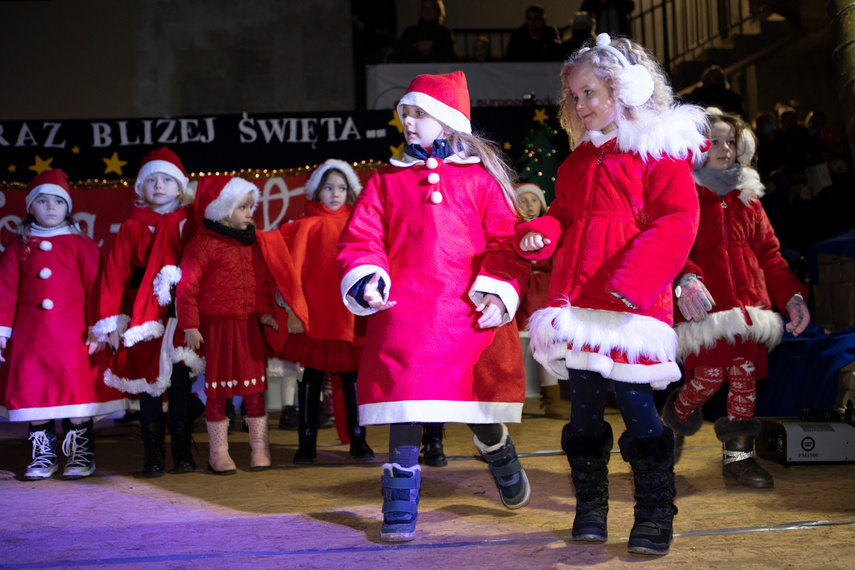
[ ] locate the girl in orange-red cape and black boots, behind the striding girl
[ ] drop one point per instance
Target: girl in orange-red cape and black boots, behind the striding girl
(328, 341)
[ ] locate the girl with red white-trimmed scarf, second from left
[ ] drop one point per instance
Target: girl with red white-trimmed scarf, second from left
(145, 361)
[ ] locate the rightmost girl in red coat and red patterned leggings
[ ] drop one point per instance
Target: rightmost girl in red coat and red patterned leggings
(735, 275)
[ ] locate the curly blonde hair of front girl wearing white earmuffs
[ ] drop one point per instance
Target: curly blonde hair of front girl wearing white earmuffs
(607, 68)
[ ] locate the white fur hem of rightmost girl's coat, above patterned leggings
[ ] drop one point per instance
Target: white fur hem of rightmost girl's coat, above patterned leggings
(767, 328)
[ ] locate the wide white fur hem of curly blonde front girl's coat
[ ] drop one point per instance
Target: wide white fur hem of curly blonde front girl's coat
(637, 336)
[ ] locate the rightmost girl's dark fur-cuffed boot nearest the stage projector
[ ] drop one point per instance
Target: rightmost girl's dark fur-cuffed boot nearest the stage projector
(737, 439)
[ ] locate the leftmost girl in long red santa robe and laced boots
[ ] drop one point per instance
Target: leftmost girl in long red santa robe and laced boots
(52, 363)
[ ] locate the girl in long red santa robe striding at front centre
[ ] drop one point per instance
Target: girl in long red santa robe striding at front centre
(427, 253)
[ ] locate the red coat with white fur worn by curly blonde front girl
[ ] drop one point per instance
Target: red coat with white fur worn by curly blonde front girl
(623, 220)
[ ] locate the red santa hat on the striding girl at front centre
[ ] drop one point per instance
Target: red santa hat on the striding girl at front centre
(444, 97)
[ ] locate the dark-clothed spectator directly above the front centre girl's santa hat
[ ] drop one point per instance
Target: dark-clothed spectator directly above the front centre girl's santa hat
(428, 41)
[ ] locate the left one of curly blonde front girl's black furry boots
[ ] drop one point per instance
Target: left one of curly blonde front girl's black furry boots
(588, 457)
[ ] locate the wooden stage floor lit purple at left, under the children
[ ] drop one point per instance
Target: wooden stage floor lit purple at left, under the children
(328, 515)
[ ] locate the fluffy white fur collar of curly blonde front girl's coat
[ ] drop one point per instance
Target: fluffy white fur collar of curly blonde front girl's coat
(676, 132)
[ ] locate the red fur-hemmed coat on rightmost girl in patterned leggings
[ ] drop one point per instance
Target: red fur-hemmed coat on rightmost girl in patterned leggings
(737, 256)
